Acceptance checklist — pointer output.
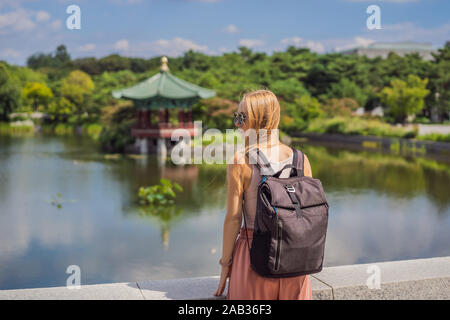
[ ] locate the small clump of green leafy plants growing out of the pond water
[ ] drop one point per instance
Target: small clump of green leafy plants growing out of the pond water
(160, 194)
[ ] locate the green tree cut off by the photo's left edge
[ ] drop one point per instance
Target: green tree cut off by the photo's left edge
(9, 92)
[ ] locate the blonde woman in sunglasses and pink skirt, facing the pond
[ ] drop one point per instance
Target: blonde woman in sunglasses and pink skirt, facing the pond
(258, 110)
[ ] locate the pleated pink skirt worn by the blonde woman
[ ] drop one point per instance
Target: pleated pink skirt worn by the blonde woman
(245, 284)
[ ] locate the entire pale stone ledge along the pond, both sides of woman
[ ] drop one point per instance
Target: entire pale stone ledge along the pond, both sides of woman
(408, 279)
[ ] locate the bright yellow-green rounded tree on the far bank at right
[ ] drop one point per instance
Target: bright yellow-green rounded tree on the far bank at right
(405, 97)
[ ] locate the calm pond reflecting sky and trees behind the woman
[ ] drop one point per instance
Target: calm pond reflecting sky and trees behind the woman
(383, 207)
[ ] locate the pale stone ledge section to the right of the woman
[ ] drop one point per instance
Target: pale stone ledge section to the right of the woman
(407, 279)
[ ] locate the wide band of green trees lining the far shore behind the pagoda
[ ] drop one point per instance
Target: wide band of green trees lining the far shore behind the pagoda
(308, 85)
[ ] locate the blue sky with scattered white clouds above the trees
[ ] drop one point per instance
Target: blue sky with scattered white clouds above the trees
(140, 28)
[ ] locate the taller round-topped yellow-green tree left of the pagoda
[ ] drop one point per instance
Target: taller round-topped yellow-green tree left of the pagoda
(77, 88)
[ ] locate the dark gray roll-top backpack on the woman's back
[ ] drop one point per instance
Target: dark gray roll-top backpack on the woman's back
(291, 222)
